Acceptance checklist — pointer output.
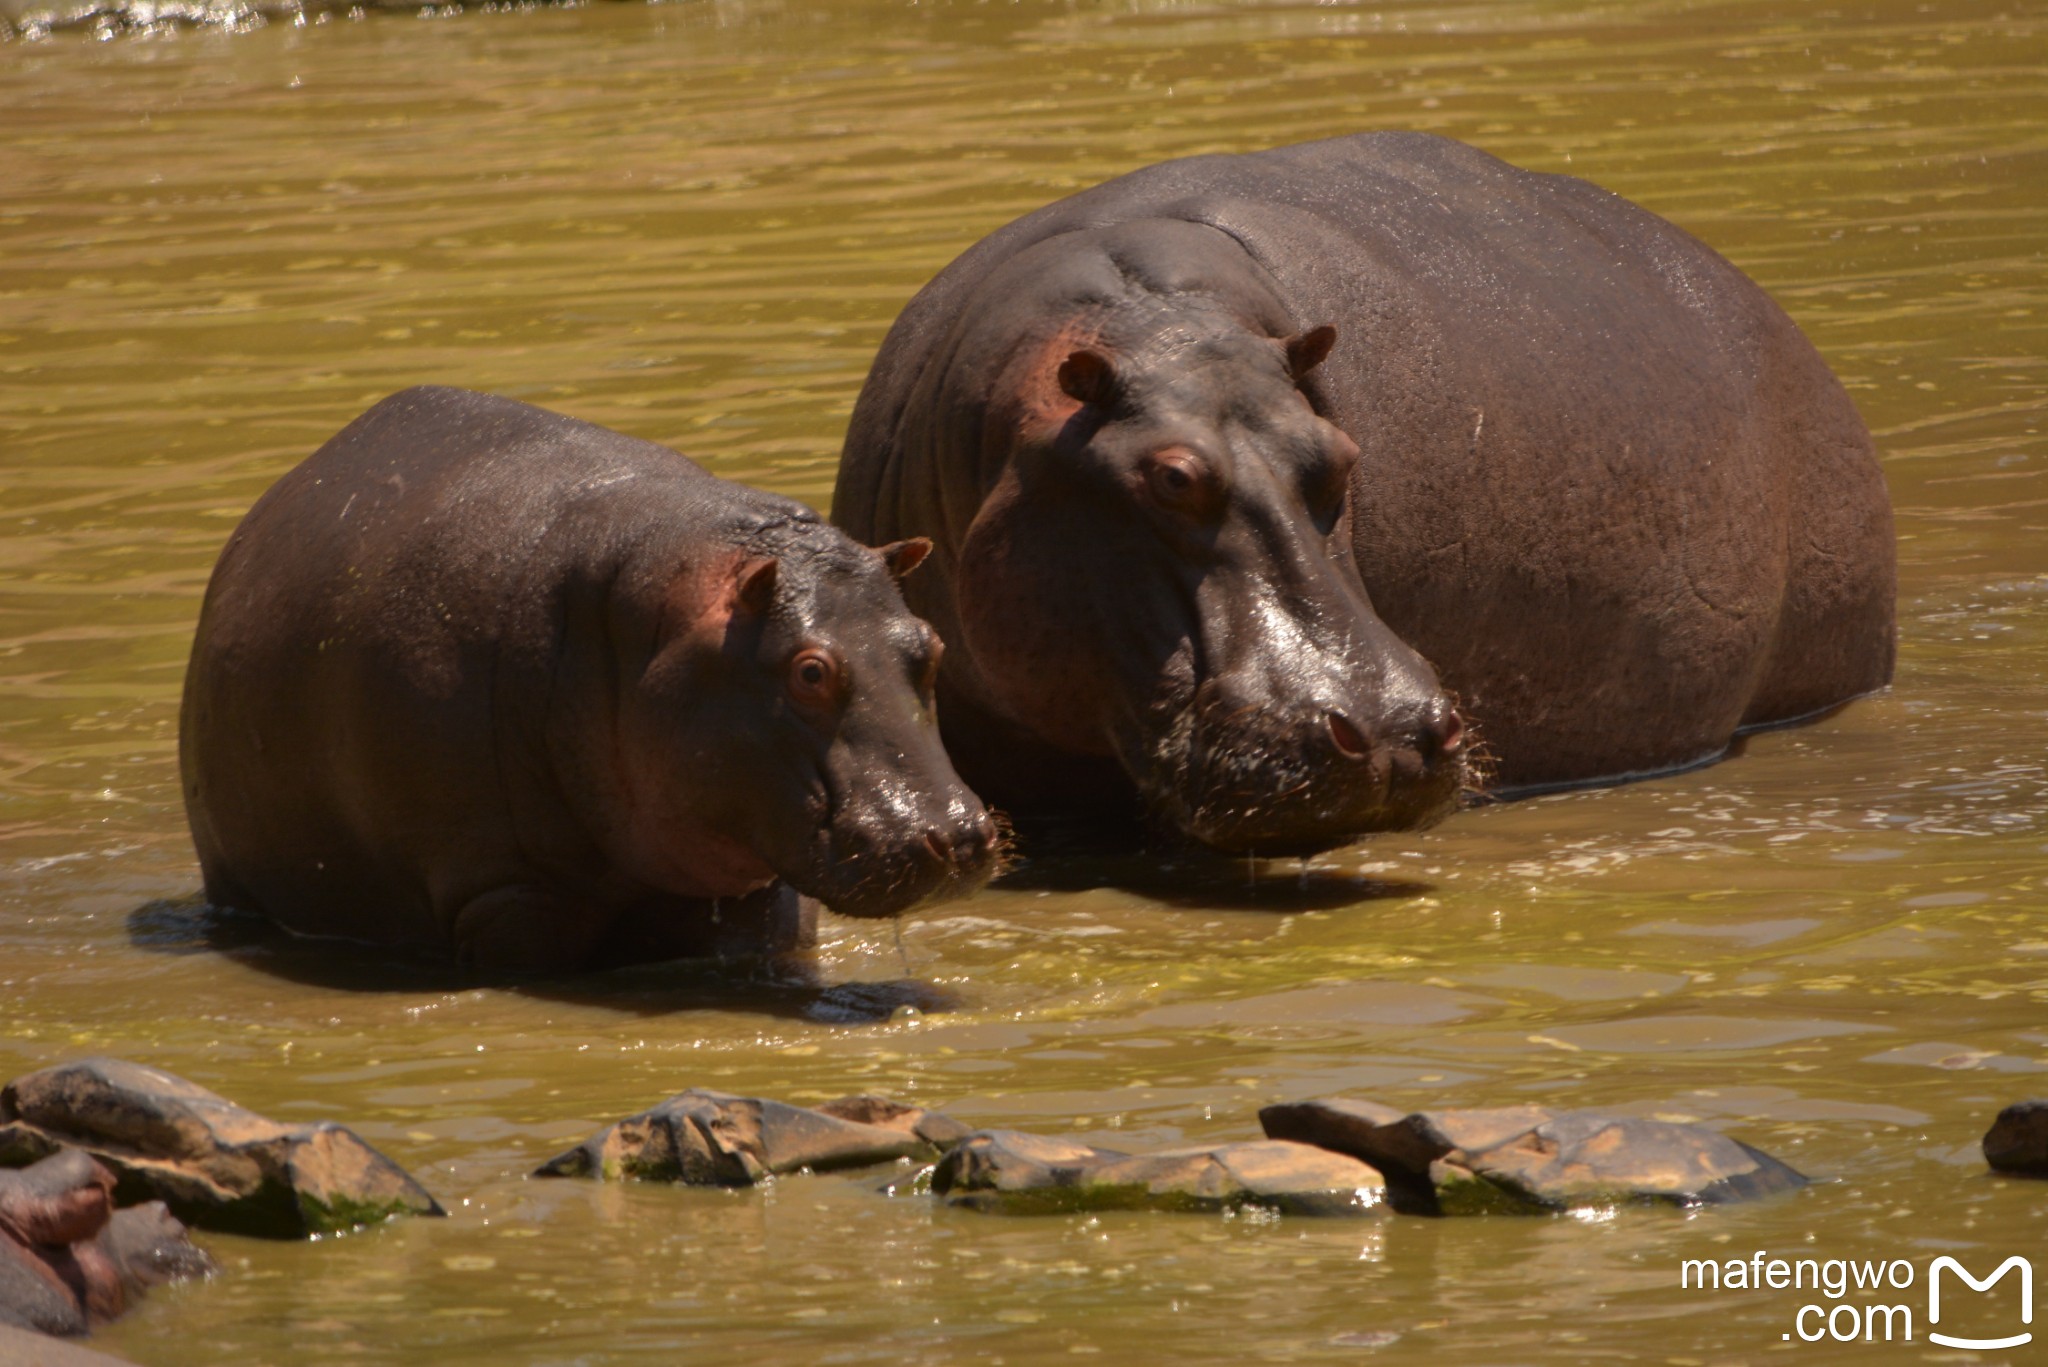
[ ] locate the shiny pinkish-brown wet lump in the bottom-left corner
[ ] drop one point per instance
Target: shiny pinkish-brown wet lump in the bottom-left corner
(69, 1259)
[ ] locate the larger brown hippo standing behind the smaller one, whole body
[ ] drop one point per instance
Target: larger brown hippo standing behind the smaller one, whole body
(1240, 468)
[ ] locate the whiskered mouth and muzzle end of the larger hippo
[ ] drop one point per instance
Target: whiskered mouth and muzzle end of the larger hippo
(1295, 784)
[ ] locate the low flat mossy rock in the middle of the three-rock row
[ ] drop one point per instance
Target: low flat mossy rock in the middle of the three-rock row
(1019, 1173)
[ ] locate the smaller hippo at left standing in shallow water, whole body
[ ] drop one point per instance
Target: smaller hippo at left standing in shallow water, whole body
(495, 683)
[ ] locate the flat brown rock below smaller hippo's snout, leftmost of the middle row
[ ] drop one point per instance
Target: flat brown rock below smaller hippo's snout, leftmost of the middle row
(708, 1138)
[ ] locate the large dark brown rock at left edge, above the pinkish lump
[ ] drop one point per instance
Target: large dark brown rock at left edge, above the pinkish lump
(216, 1165)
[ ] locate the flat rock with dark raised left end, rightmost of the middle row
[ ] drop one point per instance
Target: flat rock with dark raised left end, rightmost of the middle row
(1533, 1159)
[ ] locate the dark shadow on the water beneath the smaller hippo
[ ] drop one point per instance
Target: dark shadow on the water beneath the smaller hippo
(787, 987)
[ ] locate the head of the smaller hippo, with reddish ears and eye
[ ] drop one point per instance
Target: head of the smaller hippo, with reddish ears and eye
(785, 731)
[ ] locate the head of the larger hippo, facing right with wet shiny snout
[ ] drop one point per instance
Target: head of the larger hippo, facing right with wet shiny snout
(1160, 575)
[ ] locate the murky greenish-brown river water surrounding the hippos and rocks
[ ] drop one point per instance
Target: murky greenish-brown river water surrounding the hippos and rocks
(695, 222)
